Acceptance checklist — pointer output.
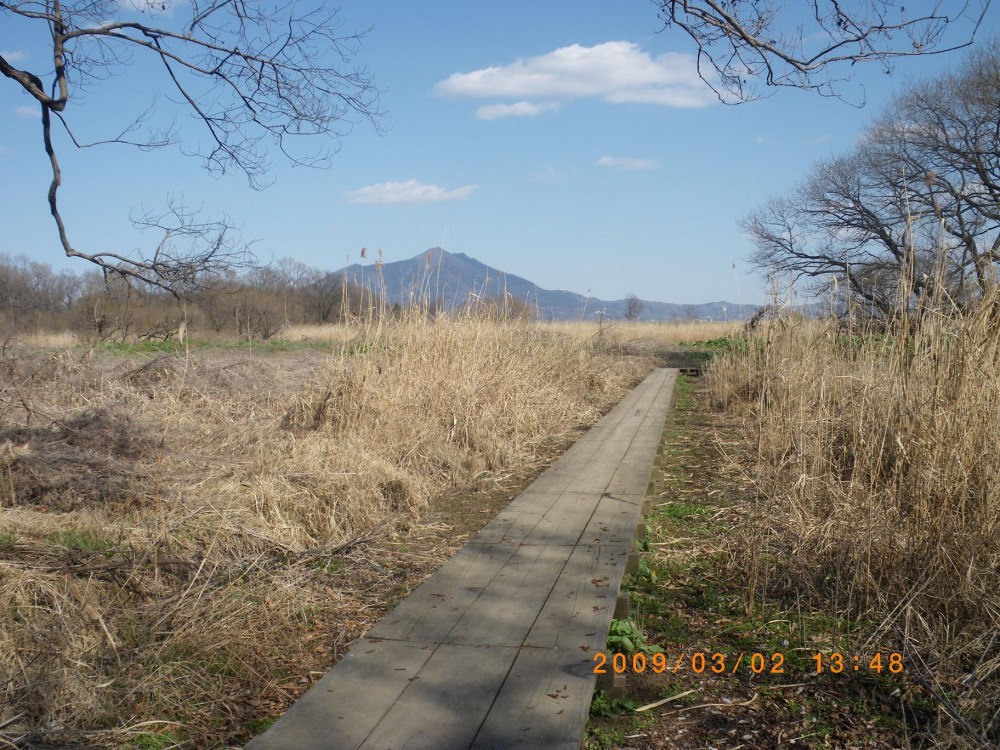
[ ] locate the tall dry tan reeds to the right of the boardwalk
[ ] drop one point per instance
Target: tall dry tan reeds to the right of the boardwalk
(878, 487)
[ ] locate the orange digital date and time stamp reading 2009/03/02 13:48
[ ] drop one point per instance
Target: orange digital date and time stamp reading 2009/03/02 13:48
(701, 662)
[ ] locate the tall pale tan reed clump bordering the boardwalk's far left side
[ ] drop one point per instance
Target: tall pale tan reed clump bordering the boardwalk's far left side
(452, 400)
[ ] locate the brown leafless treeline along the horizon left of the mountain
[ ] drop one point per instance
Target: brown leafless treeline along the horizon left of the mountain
(256, 303)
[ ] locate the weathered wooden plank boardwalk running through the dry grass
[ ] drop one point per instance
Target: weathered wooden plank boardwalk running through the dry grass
(495, 650)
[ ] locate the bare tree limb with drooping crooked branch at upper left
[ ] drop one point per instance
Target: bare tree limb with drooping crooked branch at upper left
(252, 76)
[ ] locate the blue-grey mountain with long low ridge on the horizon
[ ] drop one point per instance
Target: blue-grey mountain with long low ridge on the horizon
(454, 279)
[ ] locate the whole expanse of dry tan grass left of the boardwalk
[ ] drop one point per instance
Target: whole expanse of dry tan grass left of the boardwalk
(182, 539)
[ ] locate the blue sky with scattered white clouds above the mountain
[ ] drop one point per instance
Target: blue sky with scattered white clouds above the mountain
(569, 143)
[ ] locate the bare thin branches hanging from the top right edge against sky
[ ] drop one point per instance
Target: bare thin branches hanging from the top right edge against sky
(813, 45)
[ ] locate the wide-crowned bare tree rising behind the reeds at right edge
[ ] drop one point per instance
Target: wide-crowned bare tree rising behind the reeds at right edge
(913, 209)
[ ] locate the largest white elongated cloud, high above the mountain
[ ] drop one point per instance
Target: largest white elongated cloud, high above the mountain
(616, 72)
